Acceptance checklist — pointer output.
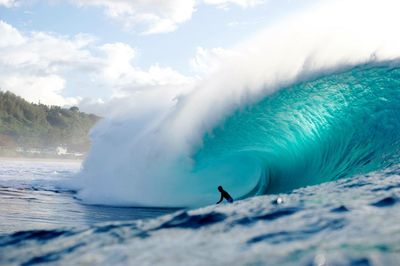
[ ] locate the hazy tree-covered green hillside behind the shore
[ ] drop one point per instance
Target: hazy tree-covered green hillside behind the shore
(38, 126)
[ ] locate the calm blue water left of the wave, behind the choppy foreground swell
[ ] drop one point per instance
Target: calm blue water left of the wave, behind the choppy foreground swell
(32, 197)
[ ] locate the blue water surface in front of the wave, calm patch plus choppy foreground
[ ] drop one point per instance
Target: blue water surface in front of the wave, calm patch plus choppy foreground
(352, 221)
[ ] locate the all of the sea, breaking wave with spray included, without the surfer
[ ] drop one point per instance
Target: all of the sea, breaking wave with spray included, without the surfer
(300, 124)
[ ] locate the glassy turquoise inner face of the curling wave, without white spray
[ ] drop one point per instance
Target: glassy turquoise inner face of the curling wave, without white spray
(329, 128)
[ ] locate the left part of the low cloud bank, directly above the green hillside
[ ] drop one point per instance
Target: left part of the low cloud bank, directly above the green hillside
(35, 65)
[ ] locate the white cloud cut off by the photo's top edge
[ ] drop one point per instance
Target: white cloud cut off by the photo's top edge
(151, 16)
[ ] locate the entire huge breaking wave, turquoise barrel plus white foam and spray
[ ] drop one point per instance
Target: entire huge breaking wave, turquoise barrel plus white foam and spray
(279, 115)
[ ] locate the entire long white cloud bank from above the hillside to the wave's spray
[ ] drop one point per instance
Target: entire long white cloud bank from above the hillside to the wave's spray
(42, 66)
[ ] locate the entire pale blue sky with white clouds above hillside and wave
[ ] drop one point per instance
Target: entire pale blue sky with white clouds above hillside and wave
(89, 53)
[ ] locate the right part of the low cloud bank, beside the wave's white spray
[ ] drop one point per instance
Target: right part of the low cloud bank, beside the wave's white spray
(134, 87)
